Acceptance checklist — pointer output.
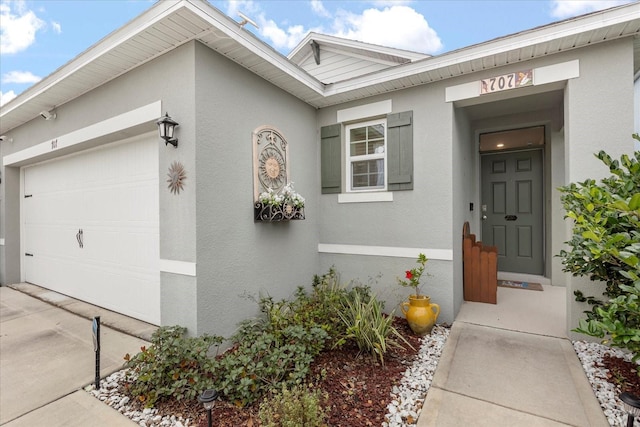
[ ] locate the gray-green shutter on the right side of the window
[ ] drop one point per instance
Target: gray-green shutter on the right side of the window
(400, 151)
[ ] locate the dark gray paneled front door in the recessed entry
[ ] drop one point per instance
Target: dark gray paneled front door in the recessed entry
(512, 209)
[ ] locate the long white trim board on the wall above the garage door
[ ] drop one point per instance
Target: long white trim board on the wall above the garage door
(145, 114)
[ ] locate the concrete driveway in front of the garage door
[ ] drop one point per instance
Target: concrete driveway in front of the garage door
(47, 356)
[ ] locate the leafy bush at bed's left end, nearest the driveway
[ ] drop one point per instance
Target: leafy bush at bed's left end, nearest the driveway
(174, 366)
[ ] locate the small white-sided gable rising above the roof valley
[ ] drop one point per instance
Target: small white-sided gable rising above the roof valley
(331, 59)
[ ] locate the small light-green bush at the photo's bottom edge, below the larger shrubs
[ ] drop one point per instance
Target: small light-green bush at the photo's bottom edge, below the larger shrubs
(299, 406)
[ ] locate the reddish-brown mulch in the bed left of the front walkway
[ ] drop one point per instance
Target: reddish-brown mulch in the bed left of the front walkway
(358, 388)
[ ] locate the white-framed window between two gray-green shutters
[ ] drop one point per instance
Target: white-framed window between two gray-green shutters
(366, 155)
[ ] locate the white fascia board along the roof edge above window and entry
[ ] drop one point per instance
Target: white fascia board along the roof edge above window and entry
(517, 41)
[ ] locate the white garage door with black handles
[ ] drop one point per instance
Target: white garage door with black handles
(91, 227)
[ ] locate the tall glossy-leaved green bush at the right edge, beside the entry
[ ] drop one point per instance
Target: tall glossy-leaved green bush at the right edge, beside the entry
(605, 246)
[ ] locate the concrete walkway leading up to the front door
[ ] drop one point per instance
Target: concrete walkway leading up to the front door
(511, 364)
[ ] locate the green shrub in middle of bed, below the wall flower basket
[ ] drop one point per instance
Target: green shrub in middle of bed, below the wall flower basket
(265, 359)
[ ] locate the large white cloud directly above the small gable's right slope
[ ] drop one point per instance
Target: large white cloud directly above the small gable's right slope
(396, 26)
